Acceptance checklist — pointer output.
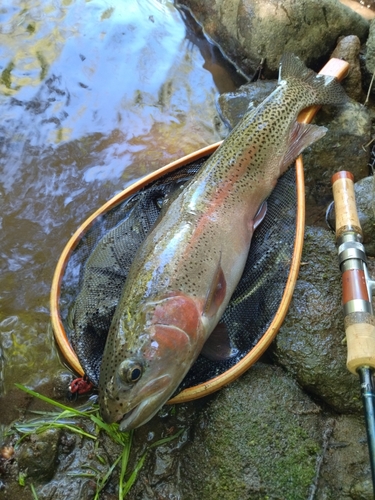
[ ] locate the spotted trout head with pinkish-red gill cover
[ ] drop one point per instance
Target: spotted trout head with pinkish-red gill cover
(146, 358)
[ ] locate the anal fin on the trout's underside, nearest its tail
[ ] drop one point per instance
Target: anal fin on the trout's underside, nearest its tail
(301, 136)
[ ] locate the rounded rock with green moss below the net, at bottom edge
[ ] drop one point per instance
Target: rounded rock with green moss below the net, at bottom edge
(258, 439)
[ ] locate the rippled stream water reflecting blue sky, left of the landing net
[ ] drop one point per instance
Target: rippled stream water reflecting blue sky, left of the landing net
(93, 95)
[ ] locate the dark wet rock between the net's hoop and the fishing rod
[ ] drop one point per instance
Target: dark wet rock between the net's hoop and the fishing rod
(310, 344)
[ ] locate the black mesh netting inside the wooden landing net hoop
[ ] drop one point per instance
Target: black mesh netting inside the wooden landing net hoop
(96, 272)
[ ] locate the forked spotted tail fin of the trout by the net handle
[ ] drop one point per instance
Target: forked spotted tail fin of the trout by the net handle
(326, 89)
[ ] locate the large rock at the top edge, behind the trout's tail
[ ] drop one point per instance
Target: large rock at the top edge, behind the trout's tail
(249, 30)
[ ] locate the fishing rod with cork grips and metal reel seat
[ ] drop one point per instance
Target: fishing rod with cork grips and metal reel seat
(357, 291)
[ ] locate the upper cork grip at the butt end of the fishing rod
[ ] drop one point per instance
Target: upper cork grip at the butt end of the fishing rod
(345, 207)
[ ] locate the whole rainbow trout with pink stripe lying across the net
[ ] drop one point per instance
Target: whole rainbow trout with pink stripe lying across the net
(189, 265)
